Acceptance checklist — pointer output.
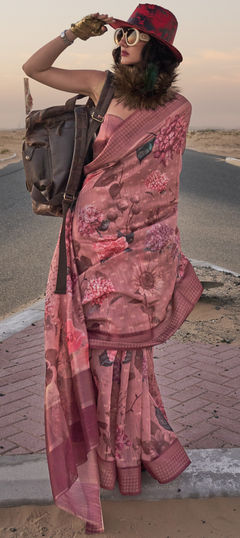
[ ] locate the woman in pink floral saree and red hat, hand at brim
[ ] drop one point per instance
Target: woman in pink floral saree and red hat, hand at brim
(129, 287)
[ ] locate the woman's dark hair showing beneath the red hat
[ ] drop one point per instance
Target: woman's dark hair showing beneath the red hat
(154, 52)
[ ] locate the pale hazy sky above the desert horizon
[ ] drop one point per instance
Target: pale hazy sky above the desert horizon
(208, 37)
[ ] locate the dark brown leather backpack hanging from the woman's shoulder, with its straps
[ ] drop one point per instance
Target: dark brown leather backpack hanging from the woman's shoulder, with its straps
(57, 145)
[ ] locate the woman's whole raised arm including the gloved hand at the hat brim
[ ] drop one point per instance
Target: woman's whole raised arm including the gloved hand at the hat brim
(88, 82)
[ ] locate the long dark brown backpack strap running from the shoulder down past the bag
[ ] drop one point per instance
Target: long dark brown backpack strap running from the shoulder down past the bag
(84, 132)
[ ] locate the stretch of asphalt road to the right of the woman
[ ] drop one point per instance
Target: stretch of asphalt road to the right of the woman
(209, 215)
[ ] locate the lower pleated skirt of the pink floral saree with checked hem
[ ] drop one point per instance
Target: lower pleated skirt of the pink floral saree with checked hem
(133, 425)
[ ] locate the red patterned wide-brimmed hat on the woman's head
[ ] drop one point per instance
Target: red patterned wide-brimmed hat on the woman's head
(155, 21)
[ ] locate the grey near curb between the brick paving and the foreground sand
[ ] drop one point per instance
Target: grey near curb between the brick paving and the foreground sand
(212, 473)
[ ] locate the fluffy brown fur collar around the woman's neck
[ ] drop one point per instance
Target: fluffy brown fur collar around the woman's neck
(143, 89)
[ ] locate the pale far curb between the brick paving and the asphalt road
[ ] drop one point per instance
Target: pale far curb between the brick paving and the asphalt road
(17, 322)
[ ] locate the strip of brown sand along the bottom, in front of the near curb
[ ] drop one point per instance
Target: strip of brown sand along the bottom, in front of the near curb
(173, 518)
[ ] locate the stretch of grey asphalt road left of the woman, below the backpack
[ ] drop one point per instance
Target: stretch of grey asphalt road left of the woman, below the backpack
(27, 242)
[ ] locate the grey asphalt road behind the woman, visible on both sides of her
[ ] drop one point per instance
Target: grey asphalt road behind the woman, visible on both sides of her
(209, 222)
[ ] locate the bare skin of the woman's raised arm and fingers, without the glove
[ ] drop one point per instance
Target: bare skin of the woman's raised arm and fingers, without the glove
(39, 67)
